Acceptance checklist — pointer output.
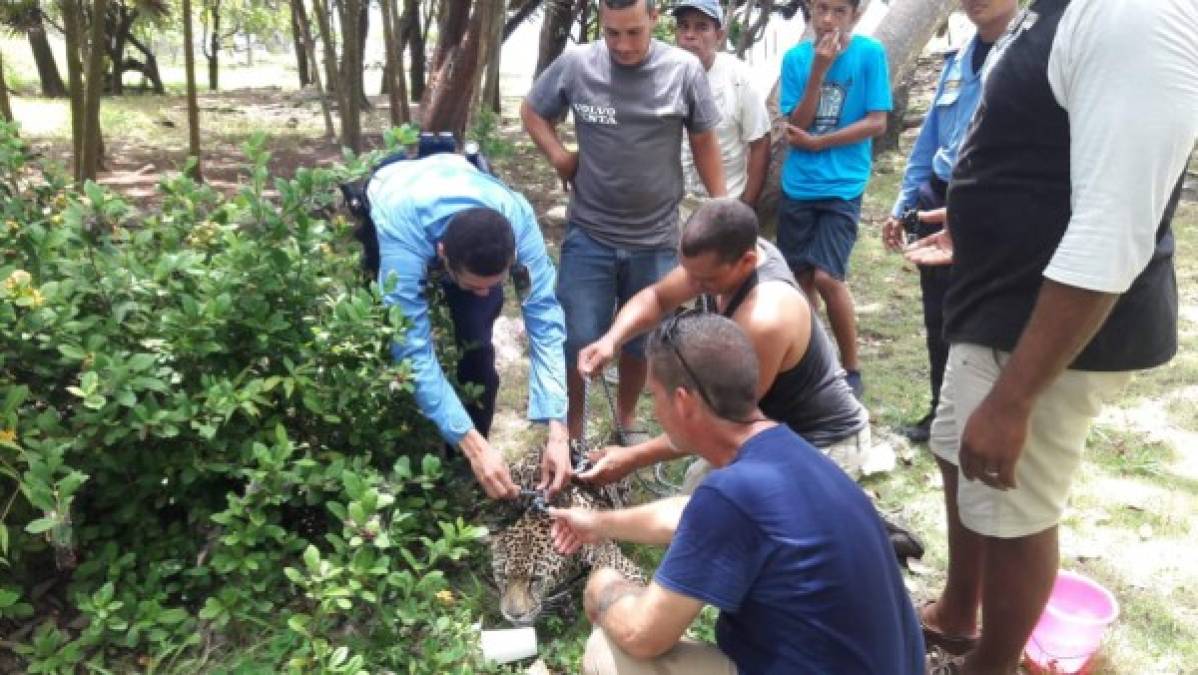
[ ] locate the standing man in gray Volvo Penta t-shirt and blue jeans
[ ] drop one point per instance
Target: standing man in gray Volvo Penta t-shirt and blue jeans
(631, 97)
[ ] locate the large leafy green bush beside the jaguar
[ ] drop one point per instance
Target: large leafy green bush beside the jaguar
(203, 437)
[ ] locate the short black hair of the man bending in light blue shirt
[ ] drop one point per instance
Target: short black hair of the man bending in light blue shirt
(480, 242)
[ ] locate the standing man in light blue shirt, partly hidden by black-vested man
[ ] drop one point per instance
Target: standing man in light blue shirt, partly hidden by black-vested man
(929, 170)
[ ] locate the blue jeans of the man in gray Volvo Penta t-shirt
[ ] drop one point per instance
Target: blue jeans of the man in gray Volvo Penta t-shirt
(595, 280)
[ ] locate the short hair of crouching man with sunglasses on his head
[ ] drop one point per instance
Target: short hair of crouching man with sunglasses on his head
(710, 355)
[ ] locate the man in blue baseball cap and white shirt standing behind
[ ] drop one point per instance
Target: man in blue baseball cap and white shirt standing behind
(743, 130)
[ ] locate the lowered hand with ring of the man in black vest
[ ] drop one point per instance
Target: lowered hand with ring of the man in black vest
(993, 442)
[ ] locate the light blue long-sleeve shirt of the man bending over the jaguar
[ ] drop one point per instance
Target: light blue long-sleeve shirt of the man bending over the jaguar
(412, 203)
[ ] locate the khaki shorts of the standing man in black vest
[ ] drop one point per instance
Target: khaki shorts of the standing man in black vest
(1052, 454)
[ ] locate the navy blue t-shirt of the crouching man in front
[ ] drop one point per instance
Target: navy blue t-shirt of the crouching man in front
(797, 561)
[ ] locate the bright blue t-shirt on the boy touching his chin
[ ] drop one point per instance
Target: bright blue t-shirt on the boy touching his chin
(857, 83)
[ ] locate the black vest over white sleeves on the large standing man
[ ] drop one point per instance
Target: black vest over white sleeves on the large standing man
(1009, 207)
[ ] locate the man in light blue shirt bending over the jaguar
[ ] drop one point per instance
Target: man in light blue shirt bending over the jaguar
(441, 216)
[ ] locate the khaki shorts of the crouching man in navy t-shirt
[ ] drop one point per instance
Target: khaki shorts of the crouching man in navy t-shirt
(686, 659)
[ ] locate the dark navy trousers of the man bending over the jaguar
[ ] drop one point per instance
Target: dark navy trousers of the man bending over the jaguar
(474, 317)
